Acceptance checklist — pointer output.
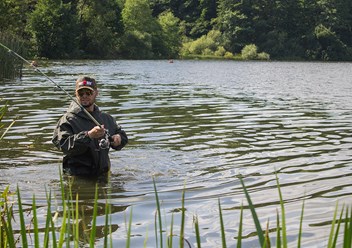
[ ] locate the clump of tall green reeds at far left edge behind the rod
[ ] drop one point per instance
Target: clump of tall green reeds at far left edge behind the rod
(11, 67)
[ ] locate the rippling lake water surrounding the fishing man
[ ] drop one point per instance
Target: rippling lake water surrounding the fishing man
(196, 125)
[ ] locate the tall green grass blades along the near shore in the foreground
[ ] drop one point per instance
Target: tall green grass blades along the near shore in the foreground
(64, 229)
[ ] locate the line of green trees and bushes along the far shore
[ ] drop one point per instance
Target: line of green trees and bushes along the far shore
(155, 29)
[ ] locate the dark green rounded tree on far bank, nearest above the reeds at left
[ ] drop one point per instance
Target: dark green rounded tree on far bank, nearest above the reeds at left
(54, 29)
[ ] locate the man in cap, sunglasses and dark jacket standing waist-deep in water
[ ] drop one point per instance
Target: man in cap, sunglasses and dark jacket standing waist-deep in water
(84, 144)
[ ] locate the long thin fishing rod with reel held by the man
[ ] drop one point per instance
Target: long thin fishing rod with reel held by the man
(103, 144)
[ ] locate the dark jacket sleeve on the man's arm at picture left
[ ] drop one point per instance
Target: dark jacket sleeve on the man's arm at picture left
(68, 142)
